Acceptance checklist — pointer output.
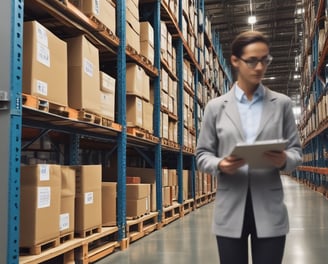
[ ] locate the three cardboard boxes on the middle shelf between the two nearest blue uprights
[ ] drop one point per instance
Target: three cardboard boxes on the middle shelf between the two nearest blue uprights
(66, 72)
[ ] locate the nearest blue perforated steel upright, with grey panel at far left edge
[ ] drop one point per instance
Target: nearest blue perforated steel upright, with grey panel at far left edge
(11, 55)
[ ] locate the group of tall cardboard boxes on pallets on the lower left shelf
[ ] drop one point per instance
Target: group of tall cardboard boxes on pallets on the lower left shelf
(59, 203)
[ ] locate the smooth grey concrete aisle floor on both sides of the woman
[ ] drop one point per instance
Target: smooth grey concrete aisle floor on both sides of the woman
(189, 239)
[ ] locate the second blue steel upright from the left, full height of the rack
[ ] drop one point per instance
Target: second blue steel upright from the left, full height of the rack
(121, 115)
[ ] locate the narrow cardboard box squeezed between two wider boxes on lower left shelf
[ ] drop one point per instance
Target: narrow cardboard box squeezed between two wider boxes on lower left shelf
(67, 203)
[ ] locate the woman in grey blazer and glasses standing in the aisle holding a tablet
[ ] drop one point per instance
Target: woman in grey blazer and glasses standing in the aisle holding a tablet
(249, 202)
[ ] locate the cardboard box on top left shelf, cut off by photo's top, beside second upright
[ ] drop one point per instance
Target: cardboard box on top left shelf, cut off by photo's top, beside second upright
(104, 11)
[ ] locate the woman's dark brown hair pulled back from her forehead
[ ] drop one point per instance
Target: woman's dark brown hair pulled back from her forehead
(244, 39)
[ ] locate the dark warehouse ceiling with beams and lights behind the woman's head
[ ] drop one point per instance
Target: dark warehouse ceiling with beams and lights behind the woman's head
(281, 24)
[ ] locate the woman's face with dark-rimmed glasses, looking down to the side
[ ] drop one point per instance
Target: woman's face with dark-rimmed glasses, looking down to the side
(252, 64)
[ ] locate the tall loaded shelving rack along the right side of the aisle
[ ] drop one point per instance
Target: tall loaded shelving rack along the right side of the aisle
(314, 169)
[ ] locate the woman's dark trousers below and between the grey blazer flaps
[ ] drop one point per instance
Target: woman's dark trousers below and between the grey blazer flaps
(264, 250)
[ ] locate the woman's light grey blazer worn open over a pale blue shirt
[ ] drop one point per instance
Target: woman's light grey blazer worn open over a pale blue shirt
(221, 130)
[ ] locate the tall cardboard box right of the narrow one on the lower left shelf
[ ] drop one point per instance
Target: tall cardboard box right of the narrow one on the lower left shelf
(88, 206)
